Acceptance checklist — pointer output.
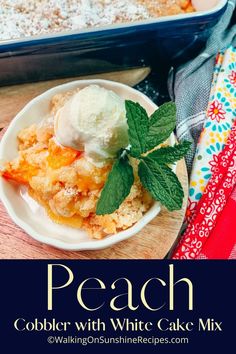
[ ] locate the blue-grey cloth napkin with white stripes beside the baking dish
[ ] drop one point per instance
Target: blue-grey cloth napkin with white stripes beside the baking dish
(190, 85)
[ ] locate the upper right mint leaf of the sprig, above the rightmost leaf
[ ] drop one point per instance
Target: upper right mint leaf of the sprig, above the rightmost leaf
(161, 124)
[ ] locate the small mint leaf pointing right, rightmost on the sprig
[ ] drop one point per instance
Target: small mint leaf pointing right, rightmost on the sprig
(170, 154)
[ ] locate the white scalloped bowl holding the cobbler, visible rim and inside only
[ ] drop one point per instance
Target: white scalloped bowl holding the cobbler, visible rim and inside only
(30, 216)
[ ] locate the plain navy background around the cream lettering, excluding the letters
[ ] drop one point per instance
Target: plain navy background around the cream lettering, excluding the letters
(23, 293)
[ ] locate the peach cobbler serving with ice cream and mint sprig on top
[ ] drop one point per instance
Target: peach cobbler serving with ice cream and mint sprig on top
(98, 162)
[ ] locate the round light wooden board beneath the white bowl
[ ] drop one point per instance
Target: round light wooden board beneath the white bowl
(153, 242)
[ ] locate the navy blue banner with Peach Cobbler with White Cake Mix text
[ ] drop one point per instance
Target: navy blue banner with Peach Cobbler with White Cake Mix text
(117, 306)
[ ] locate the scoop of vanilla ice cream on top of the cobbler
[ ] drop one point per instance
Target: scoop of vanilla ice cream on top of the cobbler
(94, 121)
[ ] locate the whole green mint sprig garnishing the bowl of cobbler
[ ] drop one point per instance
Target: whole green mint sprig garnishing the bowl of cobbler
(145, 134)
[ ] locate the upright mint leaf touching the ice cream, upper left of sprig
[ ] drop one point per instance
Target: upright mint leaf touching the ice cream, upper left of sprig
(138, 122)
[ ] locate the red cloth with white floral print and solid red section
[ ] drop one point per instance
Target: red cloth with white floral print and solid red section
(211, 233)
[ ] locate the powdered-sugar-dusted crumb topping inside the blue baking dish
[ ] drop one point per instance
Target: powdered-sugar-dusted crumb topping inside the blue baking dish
(24, 18)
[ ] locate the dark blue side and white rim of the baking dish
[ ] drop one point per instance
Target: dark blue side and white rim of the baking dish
(158, 43)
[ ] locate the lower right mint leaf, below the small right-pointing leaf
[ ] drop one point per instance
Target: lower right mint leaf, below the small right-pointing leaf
(161, 182)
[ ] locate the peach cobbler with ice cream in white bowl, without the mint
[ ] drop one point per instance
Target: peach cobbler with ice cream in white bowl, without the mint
(67, 181)
